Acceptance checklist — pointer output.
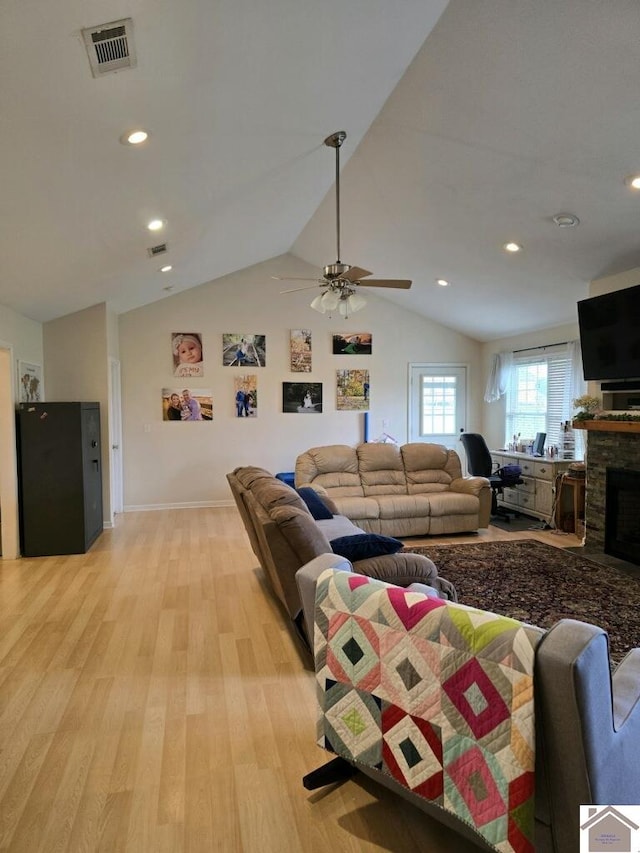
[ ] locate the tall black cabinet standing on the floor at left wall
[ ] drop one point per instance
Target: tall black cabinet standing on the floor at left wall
(59, 477)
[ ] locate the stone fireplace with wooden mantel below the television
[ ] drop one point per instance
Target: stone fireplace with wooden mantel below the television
(612, 446)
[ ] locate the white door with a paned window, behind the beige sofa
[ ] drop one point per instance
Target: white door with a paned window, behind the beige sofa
(437, 403)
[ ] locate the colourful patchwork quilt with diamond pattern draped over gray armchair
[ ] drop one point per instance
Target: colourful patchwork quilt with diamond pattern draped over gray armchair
(437, 695)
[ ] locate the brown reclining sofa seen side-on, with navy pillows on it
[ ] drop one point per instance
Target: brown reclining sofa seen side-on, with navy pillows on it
(284, 536)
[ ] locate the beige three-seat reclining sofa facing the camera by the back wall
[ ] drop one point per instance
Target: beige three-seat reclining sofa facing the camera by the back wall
(414, 490)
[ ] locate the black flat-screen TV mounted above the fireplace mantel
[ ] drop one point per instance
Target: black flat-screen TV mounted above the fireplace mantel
(610, 334)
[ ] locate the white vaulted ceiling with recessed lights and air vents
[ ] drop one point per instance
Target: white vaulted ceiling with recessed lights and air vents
(470, 123)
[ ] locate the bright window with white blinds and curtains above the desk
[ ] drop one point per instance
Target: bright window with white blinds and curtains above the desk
(538, 393)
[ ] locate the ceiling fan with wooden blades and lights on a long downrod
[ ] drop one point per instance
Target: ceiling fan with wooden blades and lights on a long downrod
(340, 281)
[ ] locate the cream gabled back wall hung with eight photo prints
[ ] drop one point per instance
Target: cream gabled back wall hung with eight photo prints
(174, 463)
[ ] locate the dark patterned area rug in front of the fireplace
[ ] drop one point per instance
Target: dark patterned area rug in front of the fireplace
(539, 584)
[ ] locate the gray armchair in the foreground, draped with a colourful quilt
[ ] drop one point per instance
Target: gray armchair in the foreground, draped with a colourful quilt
(587, 729)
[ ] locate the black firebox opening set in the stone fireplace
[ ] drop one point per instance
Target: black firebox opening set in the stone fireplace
(622, 514)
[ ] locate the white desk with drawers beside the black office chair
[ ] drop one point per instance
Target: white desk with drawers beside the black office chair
(536, 496)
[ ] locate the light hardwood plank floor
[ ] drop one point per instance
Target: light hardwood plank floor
(153, 698)
